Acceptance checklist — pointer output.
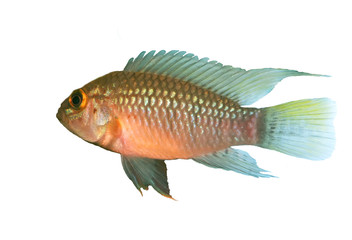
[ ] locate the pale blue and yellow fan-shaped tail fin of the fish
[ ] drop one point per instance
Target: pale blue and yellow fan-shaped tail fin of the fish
(301, 128)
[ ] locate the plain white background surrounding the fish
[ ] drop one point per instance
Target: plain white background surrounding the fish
(53, 185)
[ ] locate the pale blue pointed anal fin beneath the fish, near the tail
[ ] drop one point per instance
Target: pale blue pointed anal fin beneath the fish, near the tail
(233, 160)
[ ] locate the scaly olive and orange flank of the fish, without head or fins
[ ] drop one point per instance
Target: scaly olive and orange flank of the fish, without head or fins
(166, 109)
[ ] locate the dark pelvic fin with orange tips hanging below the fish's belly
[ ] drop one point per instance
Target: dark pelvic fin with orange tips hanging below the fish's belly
(144, 172)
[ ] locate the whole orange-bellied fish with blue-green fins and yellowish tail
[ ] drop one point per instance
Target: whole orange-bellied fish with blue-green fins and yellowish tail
(174, 105)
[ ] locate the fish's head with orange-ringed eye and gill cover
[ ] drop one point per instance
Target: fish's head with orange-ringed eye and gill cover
(81, 114)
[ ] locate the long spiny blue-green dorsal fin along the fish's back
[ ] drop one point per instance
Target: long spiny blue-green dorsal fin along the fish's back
(244, 87)
